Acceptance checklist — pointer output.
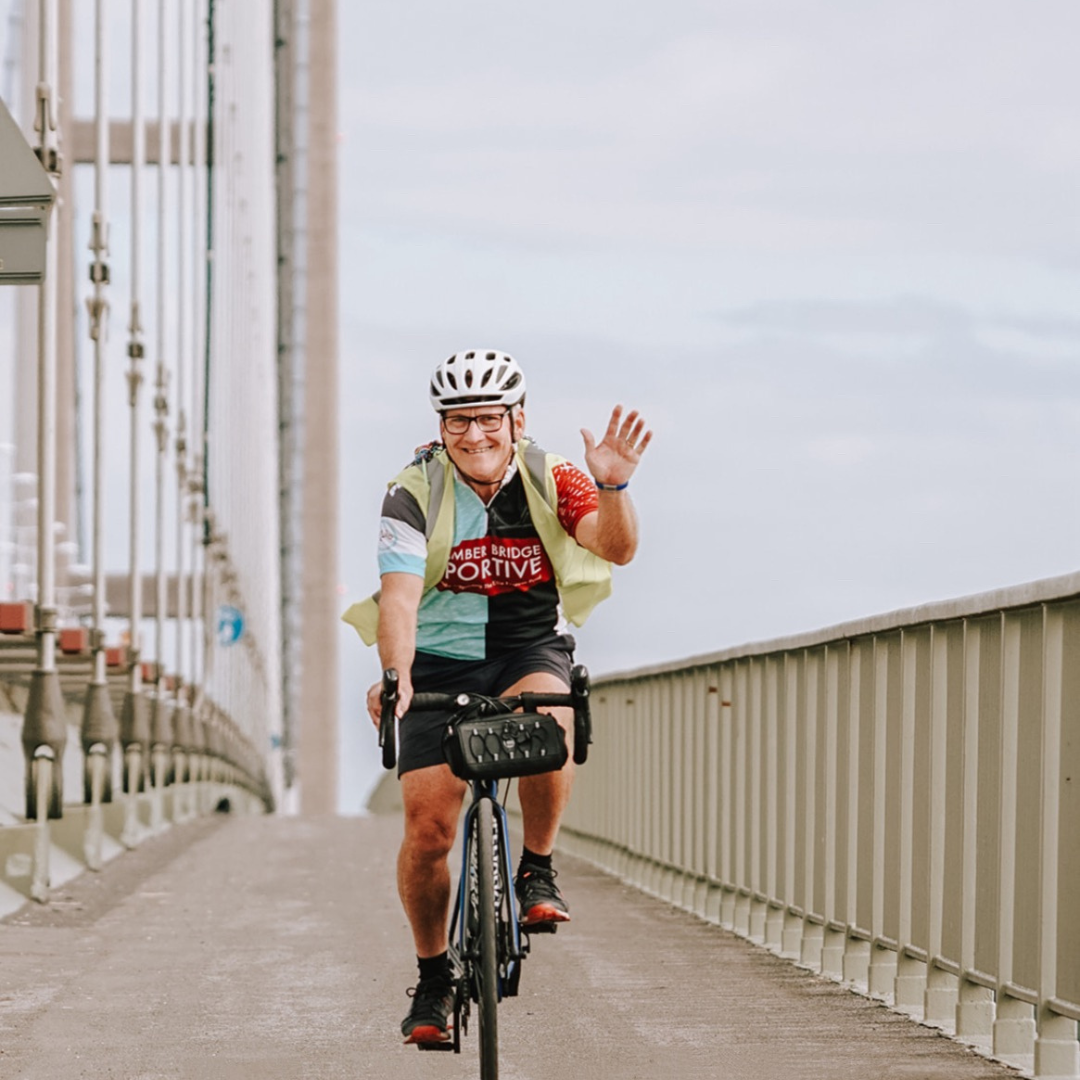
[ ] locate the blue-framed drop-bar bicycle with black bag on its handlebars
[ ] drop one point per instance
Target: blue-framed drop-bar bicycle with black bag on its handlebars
(489, 741)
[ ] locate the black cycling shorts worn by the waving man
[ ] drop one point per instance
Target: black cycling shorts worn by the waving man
(421, 735)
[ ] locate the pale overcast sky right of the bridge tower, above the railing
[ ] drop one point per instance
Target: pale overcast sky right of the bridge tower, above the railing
(831, 250)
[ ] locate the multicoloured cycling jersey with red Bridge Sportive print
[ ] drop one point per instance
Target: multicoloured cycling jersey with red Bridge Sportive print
(498, 592)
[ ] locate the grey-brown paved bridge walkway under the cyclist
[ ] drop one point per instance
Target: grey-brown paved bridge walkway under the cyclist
(275, 949)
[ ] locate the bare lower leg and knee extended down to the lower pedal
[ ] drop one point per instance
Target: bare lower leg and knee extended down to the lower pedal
(433, 799)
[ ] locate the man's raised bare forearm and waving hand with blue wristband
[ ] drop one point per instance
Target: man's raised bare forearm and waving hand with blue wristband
(612, 531)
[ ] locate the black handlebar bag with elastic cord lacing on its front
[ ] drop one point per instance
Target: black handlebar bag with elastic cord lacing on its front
(510, 745)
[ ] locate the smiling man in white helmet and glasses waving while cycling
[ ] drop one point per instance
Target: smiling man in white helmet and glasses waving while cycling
(487, 545)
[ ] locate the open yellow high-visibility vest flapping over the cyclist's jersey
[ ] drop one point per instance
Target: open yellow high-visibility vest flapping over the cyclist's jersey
(583, 578)
